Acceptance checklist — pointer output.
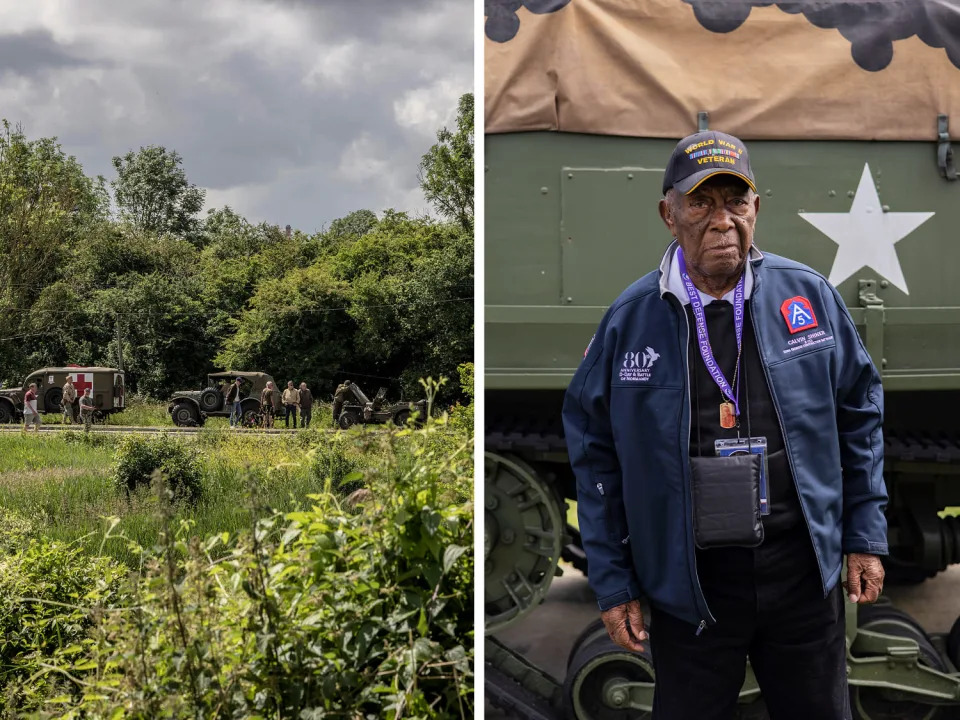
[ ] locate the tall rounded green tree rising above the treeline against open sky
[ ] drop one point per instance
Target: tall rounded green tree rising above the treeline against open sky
(152, 192)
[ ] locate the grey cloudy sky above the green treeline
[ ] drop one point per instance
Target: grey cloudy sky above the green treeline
(289, 112)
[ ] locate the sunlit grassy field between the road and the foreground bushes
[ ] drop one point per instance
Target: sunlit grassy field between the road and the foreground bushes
(64, 483)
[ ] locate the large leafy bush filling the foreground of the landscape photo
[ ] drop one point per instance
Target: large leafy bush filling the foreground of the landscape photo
(322, 613)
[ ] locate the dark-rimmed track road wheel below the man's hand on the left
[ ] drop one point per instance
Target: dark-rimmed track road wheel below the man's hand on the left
(599, 663)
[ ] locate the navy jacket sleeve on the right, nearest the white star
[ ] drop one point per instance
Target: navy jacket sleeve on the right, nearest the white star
(859, 426)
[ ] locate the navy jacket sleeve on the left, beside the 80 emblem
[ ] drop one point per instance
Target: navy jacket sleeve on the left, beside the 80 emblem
(600, 509)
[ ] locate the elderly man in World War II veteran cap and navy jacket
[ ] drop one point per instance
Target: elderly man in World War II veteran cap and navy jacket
(725, 431)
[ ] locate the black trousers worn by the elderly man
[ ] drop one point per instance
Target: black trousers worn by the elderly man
(768, 606)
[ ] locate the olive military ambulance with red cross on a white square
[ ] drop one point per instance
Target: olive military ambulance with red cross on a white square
(107, 385)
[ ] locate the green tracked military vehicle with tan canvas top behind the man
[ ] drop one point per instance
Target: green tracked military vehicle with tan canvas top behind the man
(849, 109)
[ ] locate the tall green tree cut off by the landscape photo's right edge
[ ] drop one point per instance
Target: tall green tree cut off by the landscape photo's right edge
(446, 170)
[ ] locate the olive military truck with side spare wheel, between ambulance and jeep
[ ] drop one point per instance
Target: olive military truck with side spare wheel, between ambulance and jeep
(191, 408)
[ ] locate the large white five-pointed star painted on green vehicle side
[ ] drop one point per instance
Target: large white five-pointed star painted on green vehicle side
(866, 235)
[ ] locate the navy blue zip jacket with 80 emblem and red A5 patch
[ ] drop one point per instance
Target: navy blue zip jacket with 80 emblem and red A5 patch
(627, 420)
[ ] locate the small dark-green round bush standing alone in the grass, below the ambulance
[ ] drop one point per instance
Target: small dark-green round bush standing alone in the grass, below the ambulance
(138, 457)
